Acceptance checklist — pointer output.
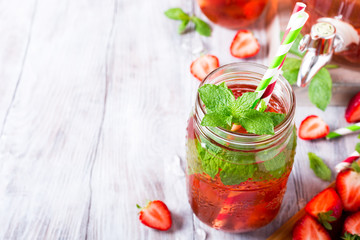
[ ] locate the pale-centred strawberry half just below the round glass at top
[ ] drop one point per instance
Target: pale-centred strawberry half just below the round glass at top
(244, 45)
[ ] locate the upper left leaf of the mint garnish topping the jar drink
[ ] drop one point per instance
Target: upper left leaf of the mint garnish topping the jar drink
(216, 97)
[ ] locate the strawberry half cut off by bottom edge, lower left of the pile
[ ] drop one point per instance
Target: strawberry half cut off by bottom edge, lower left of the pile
(308, 228)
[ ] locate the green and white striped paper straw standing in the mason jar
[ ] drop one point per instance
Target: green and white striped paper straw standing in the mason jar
(267, 84)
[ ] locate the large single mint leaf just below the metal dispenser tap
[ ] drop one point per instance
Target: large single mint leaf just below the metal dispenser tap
(320, 89)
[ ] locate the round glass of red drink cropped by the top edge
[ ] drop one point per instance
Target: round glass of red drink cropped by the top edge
(236, 14)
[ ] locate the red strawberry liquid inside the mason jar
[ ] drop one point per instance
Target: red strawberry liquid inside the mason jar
(243, 207)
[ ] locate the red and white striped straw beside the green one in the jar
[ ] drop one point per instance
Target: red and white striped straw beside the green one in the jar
(298, 9)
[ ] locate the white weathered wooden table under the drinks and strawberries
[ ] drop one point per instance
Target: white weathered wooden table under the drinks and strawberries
(94, 100)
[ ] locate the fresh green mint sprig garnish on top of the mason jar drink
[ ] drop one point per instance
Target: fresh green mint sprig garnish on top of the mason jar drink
(223, 110)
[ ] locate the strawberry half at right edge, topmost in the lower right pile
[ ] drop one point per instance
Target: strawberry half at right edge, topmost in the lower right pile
(348, 187)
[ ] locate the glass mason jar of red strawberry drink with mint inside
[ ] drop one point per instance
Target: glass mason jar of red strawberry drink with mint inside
(236, 181)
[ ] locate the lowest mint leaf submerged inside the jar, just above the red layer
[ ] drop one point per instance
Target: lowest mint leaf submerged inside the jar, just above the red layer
(233, 174)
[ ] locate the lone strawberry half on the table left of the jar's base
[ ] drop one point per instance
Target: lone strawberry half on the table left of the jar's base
(156, 215)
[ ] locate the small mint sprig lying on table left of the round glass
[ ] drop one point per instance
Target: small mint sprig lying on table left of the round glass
(178, 14)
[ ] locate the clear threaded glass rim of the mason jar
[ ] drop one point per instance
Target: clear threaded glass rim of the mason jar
(250, 139)
